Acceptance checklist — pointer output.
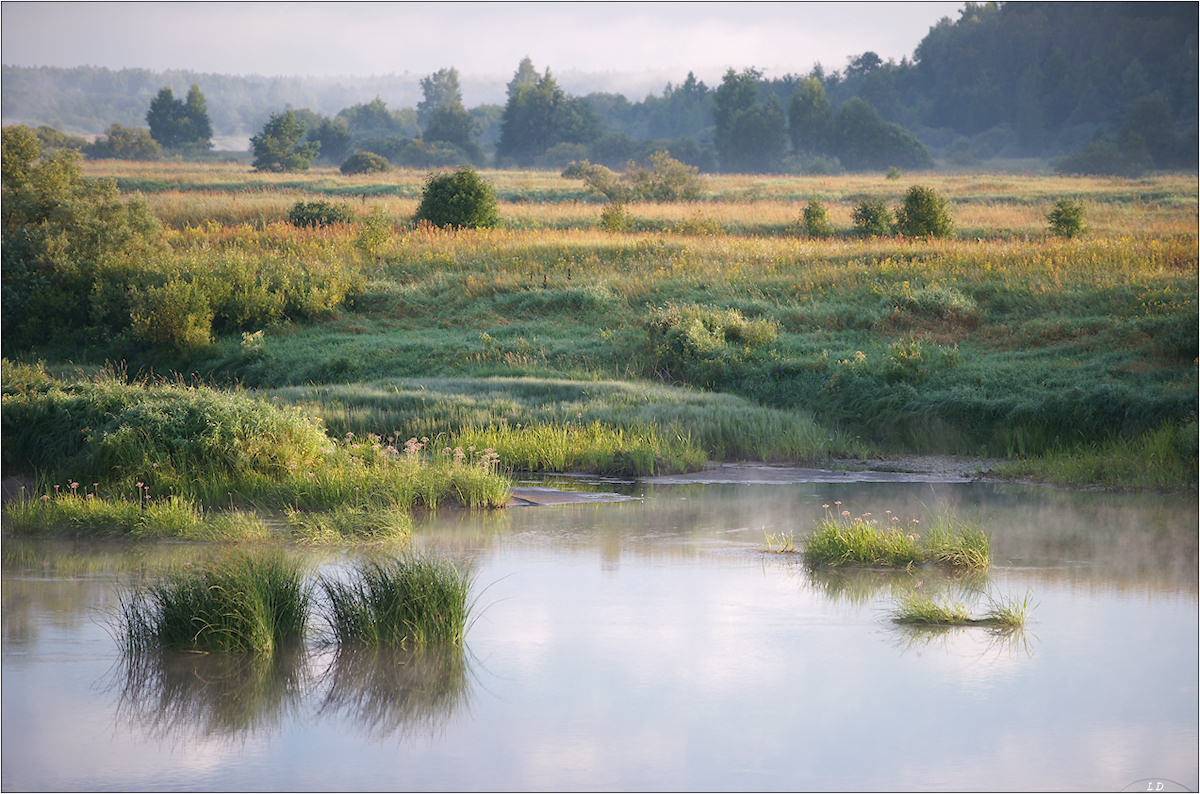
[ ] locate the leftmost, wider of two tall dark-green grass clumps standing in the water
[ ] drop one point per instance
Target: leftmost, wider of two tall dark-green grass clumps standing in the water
(249, 603)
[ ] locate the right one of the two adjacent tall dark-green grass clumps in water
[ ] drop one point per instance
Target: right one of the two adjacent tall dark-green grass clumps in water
(404, 601)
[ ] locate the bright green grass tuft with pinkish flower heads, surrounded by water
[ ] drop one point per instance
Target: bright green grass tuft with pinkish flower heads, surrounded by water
(845, 540)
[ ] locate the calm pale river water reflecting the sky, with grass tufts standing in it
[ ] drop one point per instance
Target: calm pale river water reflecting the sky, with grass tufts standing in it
(652, 645)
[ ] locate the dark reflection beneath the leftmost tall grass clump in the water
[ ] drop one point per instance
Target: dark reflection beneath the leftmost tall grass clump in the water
(178, 695)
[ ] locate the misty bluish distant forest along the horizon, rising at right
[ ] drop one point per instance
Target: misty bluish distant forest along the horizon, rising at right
(1106, 87)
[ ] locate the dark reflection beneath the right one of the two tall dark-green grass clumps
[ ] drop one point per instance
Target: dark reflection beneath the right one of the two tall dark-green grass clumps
(389, 691)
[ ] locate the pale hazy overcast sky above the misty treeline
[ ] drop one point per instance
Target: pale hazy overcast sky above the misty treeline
(647, 40)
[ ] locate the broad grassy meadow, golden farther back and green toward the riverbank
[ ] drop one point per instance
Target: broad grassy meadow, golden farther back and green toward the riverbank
(711, 329)
